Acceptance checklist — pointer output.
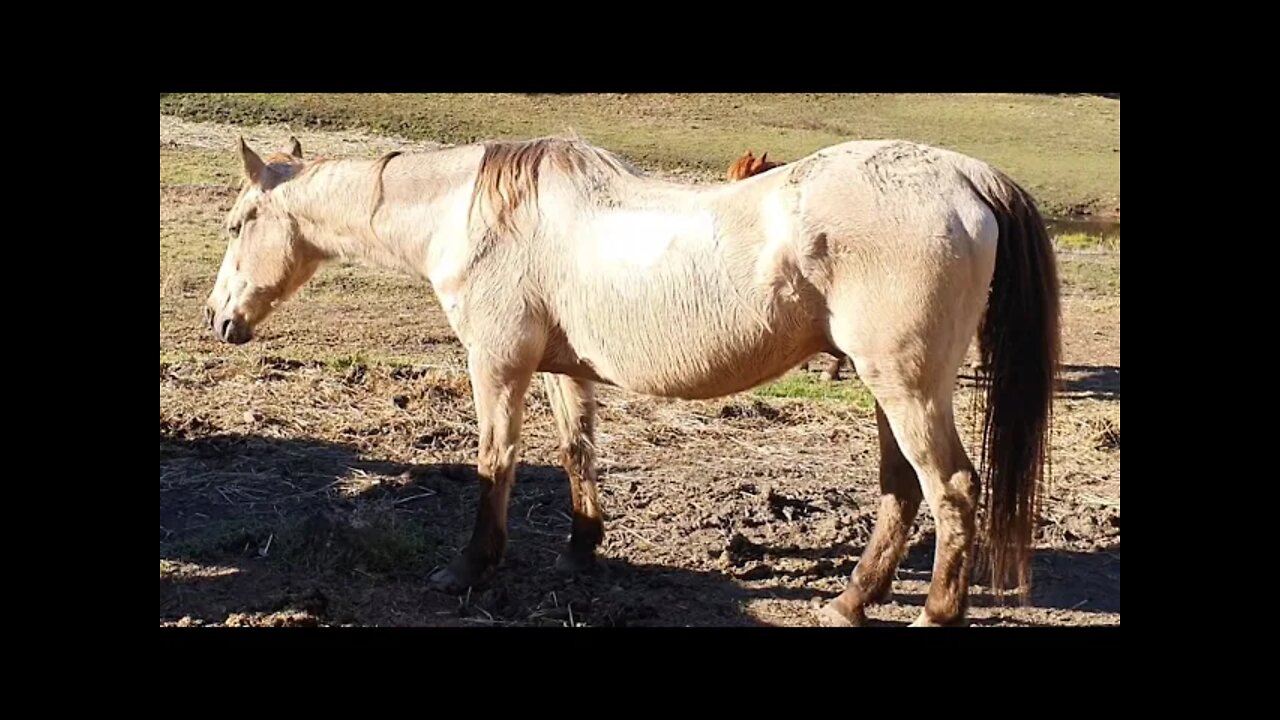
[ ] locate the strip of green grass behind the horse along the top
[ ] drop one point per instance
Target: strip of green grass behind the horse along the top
(1066, 151)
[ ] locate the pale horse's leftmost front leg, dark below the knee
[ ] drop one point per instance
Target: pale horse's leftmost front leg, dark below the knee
(500, 398)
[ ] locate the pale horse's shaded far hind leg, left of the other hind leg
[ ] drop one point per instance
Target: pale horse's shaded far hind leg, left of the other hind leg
(900, 500)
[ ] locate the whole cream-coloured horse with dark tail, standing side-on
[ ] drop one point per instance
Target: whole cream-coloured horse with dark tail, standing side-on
(556, 258)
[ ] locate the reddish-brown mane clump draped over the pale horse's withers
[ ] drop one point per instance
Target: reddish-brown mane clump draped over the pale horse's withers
(510, 171)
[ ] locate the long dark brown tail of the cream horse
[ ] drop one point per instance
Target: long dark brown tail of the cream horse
(1021, 345)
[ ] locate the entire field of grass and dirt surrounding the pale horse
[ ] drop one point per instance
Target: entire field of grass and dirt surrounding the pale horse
(318, 475)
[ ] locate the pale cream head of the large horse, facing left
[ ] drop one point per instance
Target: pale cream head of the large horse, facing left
(267, 258)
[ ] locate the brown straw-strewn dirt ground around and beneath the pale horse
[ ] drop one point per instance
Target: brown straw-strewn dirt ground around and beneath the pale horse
(317, 476)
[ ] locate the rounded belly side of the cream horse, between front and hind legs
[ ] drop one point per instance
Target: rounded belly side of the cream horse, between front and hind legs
(685, 318)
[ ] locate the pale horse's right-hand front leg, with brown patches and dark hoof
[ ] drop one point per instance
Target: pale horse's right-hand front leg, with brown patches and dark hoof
(574, 407)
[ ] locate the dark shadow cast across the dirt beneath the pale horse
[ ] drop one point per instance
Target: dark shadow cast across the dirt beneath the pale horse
(277, 531)
